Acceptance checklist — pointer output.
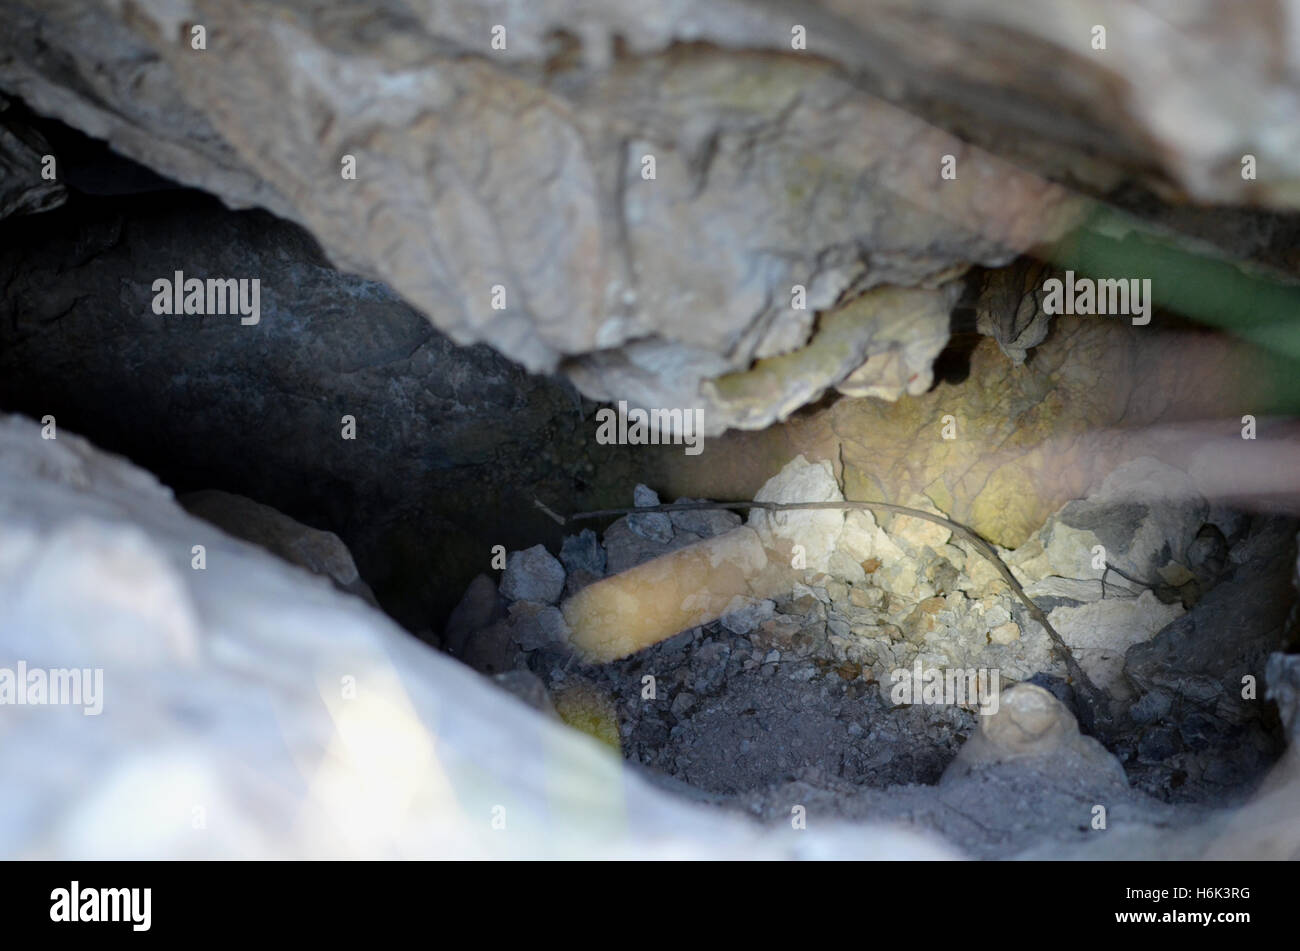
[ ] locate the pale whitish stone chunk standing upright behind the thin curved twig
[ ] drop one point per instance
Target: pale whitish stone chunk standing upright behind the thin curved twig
(816, 532)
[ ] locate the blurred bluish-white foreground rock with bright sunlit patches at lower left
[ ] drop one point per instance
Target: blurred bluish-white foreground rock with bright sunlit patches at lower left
(253, 711)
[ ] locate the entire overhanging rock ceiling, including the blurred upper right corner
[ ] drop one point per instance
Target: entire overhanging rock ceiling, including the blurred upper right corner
(657, 201)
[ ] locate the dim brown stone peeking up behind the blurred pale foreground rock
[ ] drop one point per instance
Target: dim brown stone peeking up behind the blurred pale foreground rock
(320, 553)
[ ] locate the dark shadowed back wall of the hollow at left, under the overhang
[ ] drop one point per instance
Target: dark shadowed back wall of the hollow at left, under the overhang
(445, 436)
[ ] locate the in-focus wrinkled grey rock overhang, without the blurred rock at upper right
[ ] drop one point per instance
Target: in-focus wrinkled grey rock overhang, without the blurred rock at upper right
(530, 160)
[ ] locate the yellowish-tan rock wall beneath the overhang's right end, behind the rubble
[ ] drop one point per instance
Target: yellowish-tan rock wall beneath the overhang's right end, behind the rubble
(1030, 441)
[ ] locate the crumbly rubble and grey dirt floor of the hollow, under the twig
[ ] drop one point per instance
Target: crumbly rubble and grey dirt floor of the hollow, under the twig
(796, 701)
